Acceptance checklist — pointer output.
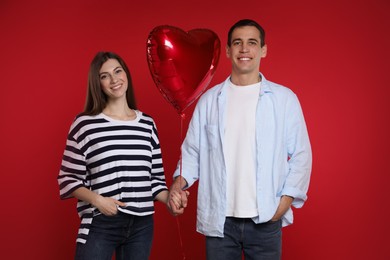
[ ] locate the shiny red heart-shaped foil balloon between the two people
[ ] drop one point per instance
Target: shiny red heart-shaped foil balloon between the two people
(181, 63)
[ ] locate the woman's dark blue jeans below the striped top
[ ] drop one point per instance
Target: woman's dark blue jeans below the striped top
(129, 236)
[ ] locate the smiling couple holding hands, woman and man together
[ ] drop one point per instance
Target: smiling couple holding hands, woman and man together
(247, 145)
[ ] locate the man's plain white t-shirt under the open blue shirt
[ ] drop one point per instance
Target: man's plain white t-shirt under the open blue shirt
(240, 143)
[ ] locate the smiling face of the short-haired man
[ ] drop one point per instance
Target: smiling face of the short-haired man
(245, 51)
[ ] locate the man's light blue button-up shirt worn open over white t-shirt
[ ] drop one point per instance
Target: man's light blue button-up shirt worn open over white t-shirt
(283, 155)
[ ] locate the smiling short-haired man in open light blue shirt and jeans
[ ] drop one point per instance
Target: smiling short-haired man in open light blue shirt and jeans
(248, 146)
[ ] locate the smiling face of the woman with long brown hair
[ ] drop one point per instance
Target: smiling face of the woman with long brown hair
(113, 79)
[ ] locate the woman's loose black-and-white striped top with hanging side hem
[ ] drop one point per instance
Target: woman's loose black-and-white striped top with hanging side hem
(118, 159)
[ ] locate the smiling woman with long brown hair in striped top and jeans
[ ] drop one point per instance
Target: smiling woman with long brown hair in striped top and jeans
(112, 164)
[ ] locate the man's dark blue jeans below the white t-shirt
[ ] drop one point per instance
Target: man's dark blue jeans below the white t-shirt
(243, 237)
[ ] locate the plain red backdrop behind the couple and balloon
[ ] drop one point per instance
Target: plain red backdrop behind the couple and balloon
(333, 54)
